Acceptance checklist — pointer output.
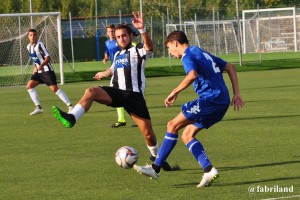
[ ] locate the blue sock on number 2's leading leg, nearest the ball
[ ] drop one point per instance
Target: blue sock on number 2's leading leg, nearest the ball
(168, 144)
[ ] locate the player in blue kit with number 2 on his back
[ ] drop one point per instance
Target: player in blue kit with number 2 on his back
(204, 71)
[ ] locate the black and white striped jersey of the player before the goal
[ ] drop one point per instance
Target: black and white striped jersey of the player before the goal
(38, 52)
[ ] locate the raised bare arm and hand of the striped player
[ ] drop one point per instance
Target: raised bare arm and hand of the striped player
(138, 22)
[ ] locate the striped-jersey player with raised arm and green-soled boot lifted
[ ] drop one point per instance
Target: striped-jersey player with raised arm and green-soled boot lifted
(128, 85)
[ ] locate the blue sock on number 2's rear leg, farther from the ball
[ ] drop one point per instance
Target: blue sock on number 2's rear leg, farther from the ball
(196, 148)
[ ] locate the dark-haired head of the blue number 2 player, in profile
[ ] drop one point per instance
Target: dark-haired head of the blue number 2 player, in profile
(176, 42)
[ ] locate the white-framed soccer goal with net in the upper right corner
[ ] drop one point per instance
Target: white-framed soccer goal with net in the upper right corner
(270, 30)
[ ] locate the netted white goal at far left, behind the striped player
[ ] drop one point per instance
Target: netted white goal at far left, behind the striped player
(15, 64)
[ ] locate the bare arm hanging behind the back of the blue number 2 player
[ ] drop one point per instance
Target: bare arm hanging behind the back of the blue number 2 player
(237, 100)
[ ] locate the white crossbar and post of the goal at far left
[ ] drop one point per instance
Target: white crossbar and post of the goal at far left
(59, 35)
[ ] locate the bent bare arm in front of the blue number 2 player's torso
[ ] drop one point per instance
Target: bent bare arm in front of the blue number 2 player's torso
(186, 82)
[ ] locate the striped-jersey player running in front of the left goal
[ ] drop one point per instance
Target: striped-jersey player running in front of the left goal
(43, 73)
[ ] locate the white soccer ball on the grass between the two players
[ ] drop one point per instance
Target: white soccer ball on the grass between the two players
(126, 157)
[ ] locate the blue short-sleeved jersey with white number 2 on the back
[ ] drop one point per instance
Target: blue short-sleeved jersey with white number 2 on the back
(209, 85)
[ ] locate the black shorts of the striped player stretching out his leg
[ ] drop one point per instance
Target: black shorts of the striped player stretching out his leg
(133, 102)
